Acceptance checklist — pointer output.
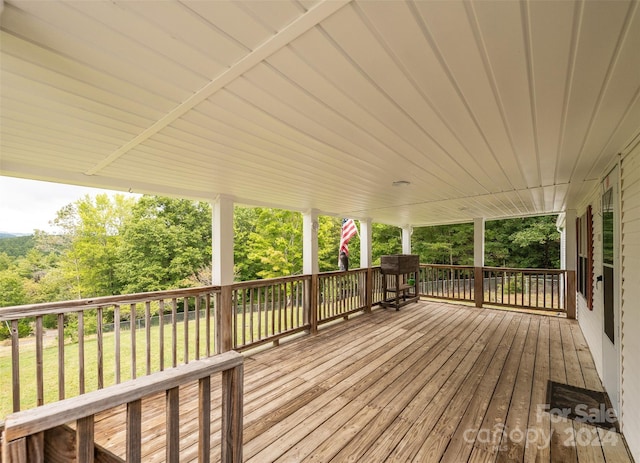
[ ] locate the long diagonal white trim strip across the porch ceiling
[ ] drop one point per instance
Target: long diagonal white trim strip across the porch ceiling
(294, 30)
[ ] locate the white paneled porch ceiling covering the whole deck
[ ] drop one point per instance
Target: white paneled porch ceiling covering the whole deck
(490, 108)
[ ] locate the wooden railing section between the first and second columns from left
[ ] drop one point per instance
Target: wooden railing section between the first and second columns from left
(267, 310)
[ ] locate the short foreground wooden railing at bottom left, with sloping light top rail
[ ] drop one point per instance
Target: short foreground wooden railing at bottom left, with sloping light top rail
(30, 434)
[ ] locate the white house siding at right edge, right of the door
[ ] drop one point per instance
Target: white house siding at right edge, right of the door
(630, 300)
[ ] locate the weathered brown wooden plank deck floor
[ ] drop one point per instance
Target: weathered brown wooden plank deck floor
(433, 382)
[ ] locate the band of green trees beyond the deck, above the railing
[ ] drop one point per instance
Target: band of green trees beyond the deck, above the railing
(112, 245)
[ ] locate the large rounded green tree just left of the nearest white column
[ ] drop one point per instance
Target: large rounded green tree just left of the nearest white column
(163, 243)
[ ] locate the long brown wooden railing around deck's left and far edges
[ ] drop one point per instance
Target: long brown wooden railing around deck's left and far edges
(199, 322)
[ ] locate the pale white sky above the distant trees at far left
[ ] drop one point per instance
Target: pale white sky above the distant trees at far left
(26, 205)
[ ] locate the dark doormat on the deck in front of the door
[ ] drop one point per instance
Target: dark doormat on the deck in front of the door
(579, 404)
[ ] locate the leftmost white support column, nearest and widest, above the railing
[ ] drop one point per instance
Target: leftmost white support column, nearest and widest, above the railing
(222, 237)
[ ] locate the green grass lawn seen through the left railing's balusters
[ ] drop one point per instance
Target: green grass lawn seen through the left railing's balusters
(28, 389)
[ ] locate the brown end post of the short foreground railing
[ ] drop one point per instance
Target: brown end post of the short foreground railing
(232, 393)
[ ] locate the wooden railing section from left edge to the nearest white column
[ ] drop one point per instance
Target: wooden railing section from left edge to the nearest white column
(103, 341)
